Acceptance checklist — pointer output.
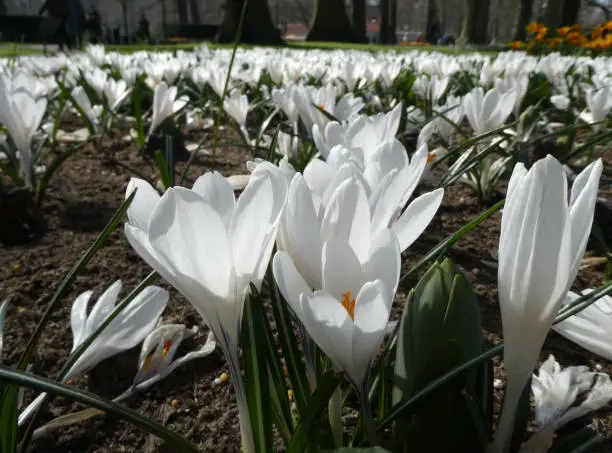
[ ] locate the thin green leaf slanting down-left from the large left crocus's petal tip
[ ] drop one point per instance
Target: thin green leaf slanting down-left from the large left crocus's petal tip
(69, 279)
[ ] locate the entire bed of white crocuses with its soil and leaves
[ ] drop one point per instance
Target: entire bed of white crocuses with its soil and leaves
(266, 250)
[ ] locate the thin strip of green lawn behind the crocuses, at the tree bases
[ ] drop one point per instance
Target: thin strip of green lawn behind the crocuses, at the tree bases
(10, 50)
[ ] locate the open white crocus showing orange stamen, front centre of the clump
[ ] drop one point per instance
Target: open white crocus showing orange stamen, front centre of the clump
(347, 315)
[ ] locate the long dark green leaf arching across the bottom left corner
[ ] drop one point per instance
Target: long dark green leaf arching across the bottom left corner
(21, 379)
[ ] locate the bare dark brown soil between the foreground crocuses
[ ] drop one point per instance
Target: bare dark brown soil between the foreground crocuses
(206, 416)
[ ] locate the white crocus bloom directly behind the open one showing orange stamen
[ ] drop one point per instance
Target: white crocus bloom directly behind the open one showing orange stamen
(346, 214)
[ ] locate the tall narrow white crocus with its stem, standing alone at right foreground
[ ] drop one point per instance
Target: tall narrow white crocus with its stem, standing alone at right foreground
(542, 242)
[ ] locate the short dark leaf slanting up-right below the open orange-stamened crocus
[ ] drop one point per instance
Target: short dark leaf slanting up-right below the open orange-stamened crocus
(326, 385)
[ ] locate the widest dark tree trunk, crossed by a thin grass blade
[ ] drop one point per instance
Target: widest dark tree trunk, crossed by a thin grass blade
(257, 27)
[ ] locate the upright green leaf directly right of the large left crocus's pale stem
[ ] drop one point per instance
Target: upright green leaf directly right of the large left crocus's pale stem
(256, 374)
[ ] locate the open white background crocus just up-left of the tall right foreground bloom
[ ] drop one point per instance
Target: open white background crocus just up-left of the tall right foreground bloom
(487, 112)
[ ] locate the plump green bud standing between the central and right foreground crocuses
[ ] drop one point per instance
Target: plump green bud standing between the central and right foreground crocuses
(439, 330)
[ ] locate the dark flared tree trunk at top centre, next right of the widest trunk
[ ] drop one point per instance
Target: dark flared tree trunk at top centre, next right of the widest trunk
(330, 22)
